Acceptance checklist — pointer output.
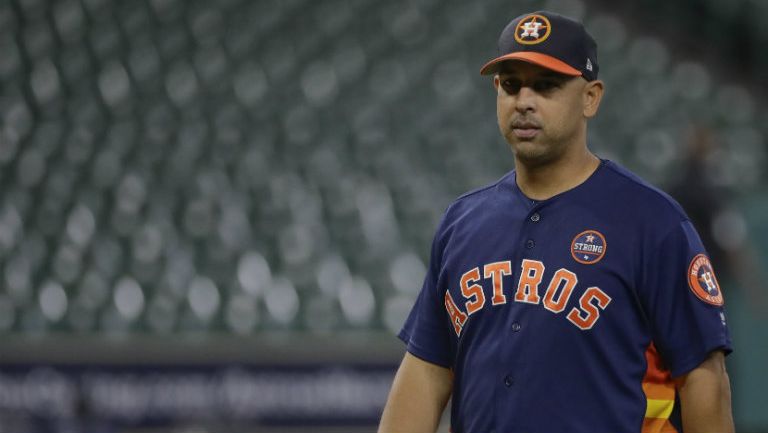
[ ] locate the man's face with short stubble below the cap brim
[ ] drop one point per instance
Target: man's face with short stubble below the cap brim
(540, 112)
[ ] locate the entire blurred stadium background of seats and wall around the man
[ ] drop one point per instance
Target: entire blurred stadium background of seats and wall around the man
(215, 215)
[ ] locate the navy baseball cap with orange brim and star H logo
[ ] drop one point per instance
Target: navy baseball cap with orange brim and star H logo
(549, 40)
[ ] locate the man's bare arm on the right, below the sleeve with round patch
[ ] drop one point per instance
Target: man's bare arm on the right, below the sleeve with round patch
(705, 397)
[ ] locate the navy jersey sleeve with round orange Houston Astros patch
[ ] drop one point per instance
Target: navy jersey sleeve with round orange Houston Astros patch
(683, 300)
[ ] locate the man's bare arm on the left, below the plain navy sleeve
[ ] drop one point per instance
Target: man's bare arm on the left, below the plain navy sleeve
(418, 397)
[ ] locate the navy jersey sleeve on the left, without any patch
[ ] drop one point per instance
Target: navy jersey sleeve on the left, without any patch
(425, 332)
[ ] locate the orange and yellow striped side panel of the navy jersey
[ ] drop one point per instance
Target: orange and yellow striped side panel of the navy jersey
(659, 391)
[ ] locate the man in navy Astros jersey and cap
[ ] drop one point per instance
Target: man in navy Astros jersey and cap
(570, 296)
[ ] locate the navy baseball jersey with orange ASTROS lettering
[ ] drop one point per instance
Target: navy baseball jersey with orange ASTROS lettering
(570, 314)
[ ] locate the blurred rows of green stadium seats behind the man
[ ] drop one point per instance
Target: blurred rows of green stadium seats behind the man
(241, 167)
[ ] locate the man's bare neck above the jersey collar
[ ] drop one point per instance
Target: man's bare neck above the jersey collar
(545, 181)
